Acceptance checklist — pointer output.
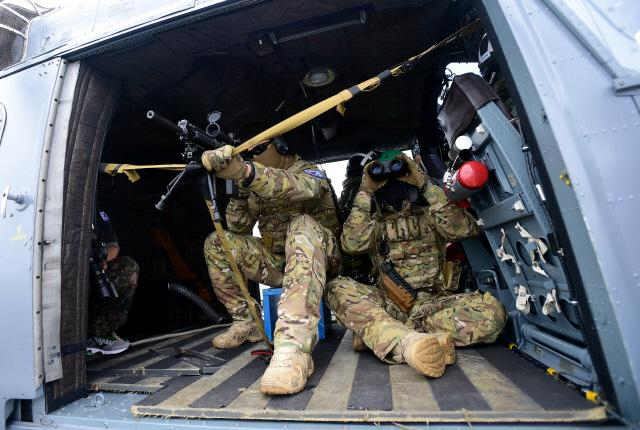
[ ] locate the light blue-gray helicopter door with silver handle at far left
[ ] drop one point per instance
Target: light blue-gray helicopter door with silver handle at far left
(29, 104)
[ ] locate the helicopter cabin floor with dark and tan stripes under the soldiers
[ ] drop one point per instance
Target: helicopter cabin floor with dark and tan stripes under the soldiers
(188, 379)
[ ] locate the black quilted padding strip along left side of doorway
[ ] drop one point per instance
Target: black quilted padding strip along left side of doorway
(94, 102)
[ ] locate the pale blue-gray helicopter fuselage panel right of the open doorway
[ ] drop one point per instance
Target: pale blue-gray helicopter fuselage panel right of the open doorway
(565, 89)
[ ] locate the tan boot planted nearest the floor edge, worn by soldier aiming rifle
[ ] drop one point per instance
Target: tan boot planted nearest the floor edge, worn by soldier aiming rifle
(287, 372)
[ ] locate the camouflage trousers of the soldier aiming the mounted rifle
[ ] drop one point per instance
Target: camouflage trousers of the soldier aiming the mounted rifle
(311, 254)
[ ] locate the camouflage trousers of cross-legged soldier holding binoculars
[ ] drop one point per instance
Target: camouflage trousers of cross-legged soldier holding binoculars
(470, 317)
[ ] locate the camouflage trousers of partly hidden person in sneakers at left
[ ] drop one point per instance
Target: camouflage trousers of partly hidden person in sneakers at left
(107, 314)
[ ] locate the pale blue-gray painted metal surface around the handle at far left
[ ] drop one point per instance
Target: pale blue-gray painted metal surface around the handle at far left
(26, 99)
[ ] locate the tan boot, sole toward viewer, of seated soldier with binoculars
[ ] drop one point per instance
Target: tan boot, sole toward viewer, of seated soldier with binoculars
(423, 353)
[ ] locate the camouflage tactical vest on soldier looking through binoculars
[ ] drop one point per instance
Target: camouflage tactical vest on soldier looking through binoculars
(413, 246)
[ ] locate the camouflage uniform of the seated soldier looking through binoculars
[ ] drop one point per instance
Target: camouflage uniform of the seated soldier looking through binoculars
(415, 237)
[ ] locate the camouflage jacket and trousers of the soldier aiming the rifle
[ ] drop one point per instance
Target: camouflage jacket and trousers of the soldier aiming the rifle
(297, 250)
